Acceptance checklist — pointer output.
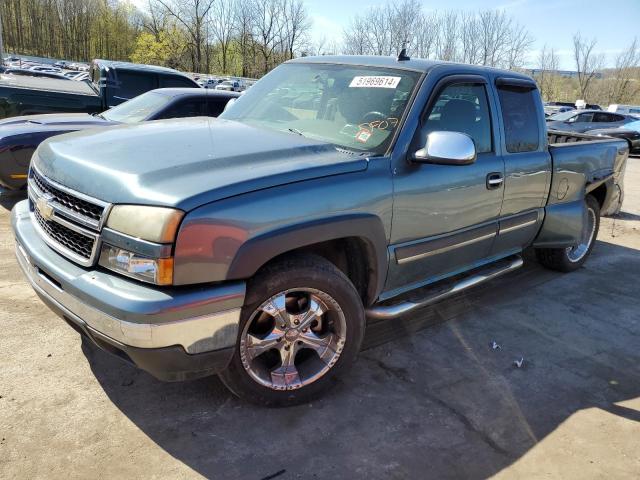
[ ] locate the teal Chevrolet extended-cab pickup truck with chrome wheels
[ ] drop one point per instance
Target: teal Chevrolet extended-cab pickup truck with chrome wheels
(336, 191)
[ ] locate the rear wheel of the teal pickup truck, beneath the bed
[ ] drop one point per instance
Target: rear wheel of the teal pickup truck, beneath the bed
(571, 258)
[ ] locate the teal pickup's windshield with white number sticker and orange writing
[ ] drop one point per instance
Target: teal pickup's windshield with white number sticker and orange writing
(356, 108)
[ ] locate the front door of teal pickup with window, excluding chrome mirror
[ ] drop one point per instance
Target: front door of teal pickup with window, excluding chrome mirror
(445, 216)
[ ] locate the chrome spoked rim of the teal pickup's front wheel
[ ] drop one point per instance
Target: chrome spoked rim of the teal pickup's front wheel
(293, 339)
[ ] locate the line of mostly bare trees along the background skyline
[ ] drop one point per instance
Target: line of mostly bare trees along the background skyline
(250, 37)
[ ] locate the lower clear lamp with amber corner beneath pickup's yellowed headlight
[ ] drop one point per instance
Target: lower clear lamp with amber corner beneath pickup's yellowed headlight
(154, 270)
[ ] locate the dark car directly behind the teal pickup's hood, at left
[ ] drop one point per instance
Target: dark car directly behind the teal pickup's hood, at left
(20, 136)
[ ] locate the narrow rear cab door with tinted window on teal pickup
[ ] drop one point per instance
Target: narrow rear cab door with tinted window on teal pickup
(527, 164)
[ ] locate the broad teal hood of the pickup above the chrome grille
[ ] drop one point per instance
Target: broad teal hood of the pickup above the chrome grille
(185, 163)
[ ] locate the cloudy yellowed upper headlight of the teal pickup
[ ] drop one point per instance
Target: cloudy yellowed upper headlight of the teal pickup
(154, 224)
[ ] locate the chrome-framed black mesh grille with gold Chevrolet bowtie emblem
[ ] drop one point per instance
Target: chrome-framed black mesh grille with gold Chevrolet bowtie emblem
(69, 221)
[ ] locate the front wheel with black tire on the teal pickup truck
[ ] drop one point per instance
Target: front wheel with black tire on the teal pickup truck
(301, 326)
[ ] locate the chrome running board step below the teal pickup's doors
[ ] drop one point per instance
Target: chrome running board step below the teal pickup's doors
(440, 292)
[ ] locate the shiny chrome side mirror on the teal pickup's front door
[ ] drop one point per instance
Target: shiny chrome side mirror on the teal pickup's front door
(447, 148)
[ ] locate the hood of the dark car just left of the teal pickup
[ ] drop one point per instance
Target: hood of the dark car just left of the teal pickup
(53, 122)
